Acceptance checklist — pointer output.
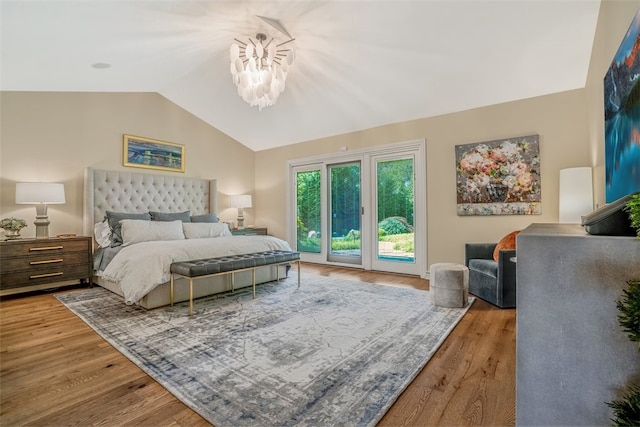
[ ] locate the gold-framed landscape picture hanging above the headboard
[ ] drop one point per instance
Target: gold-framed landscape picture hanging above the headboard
(147, 153)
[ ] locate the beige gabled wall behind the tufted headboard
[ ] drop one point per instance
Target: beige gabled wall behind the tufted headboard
(54, 136)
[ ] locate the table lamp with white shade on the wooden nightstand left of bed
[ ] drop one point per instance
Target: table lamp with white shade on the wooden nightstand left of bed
(40, 194)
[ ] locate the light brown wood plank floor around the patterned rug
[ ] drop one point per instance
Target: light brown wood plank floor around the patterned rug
(54, 370)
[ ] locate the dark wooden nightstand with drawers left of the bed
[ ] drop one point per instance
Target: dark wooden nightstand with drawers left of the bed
(32, 264)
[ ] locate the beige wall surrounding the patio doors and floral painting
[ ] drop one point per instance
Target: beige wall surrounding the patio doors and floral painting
(570, 126)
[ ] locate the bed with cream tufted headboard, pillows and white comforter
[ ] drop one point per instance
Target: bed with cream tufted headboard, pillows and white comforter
(139, 257)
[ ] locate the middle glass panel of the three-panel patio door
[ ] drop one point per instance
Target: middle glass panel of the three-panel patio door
(345, 213)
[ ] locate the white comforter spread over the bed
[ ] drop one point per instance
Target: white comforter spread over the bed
(139, 268)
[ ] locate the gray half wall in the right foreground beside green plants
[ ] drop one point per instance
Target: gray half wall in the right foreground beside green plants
(571, 355)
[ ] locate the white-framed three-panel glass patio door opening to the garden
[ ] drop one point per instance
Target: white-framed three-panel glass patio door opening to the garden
(359, 209)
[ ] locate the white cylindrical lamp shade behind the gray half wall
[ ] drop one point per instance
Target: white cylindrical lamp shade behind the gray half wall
(576, 194)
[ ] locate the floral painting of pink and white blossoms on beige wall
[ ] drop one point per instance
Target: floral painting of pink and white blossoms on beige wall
(499, 177)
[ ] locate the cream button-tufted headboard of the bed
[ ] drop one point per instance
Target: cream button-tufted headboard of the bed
(138, 193)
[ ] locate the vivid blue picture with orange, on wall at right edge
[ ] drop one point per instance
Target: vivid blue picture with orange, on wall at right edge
(622, 117)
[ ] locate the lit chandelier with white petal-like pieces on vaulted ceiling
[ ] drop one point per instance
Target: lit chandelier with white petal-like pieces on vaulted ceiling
(260, 70)
